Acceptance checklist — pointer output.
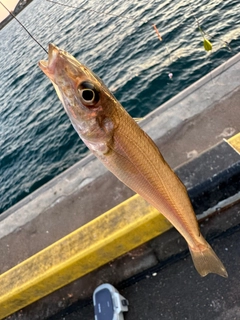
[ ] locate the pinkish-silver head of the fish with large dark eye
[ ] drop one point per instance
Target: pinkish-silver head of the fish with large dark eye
(87, 101)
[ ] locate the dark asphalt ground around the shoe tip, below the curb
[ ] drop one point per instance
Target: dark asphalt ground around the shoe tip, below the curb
(176, 291)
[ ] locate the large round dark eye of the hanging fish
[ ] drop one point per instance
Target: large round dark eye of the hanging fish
(89, 94)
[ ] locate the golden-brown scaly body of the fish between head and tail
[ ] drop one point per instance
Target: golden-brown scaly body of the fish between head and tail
(137, 162)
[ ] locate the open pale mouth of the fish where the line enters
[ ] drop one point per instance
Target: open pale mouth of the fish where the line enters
(48, 66)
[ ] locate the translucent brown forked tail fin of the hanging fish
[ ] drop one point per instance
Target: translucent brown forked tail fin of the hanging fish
(206, 261)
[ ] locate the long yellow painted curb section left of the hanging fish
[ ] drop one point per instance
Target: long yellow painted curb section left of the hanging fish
(112, 234)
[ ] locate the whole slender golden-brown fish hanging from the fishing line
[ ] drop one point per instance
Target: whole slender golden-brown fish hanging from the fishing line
(126, 150)
